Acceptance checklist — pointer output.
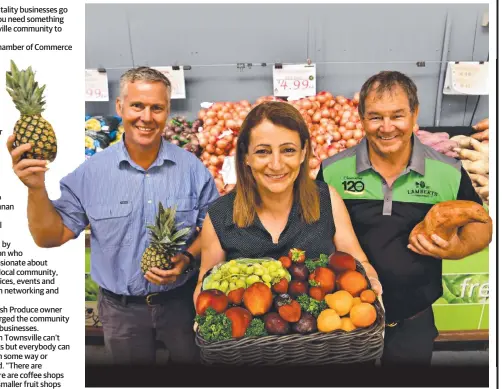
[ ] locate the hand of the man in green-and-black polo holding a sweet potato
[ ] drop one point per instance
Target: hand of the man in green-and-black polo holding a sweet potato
(438, 247)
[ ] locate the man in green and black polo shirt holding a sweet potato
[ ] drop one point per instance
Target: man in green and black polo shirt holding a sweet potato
(389, 182)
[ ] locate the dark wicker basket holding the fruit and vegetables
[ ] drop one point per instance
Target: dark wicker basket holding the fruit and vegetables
(337, 347)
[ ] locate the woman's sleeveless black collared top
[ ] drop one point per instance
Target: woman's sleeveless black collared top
(256, 242)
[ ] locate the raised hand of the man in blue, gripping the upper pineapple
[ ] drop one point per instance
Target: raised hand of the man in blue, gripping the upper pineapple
(30, 171)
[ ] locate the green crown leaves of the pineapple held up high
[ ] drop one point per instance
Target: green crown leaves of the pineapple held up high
(24, 90)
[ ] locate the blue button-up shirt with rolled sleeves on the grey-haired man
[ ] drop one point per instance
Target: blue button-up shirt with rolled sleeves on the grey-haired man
(118, 198)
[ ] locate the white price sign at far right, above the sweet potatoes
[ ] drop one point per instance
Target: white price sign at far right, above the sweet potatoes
(466, 78)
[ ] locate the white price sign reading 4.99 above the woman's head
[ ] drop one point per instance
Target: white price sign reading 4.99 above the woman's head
(295, 81)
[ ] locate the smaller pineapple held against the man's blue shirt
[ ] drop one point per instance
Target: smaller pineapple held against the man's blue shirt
(164, 240)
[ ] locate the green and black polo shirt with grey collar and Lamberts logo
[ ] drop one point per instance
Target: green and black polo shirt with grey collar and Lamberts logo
(384, 216)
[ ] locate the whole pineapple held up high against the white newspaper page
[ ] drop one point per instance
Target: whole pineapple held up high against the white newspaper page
(31, 127)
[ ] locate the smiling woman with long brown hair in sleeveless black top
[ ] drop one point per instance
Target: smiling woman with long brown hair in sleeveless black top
(276, 206)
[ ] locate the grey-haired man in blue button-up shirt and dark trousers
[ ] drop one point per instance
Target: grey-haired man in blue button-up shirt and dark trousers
(117, 192)
